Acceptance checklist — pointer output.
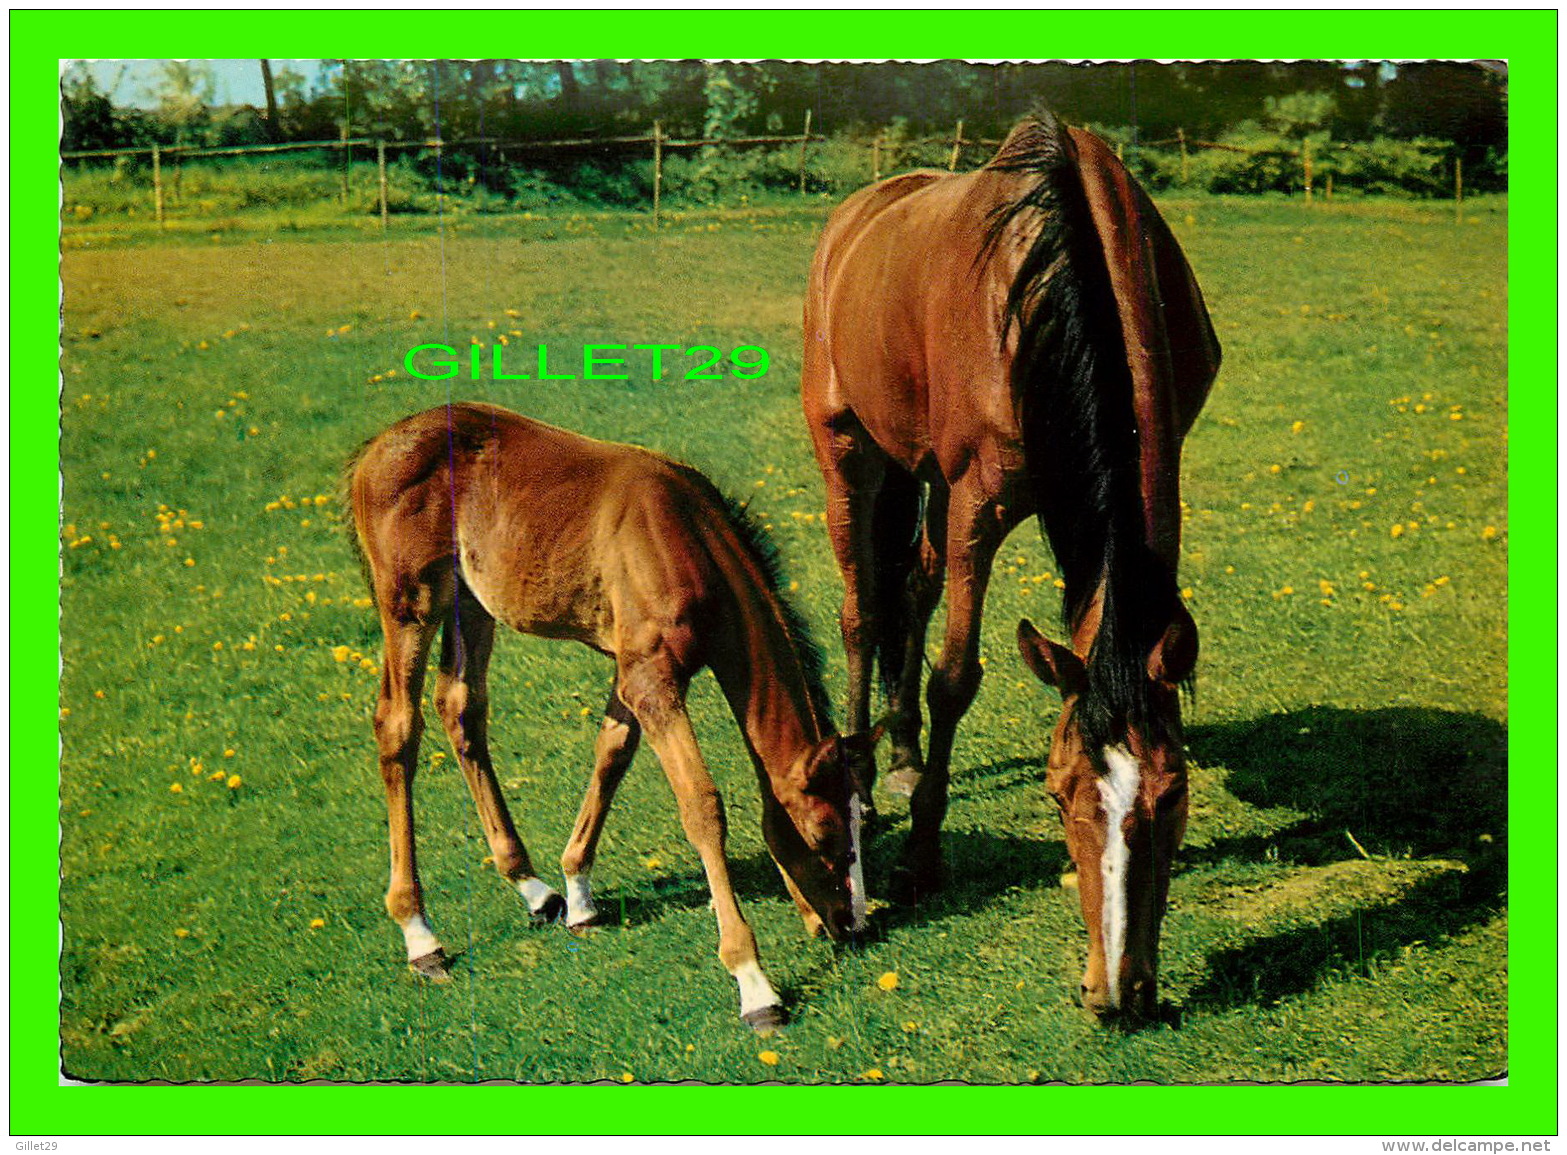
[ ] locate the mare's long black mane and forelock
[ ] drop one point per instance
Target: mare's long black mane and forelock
(1080, 440)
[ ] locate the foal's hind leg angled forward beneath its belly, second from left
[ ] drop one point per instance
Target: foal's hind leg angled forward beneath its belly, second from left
(463, 703)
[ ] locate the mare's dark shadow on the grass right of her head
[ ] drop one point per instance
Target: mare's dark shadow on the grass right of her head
(1403, 784)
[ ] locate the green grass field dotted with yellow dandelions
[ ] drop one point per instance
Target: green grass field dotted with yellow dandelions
(1339, 910)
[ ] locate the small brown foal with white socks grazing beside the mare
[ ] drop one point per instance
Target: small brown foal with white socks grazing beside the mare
(469, 515)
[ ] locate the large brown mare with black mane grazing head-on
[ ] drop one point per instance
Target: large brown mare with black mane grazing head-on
(1026, 339)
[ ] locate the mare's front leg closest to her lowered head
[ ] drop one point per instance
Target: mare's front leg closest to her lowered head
(972, 538)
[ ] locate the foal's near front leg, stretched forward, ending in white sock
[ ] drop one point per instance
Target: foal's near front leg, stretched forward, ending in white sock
(659, 703)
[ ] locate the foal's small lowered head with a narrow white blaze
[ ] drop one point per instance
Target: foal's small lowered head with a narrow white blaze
(812, 827)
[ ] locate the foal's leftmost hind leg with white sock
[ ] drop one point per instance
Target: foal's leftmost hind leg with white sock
(399, 726)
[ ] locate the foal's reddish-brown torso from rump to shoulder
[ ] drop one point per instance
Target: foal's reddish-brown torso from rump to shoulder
(556, 535)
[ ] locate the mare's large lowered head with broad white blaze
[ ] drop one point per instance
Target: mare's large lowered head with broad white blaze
(1124, 806)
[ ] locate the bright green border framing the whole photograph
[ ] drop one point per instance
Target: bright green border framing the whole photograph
(1527, 40)
